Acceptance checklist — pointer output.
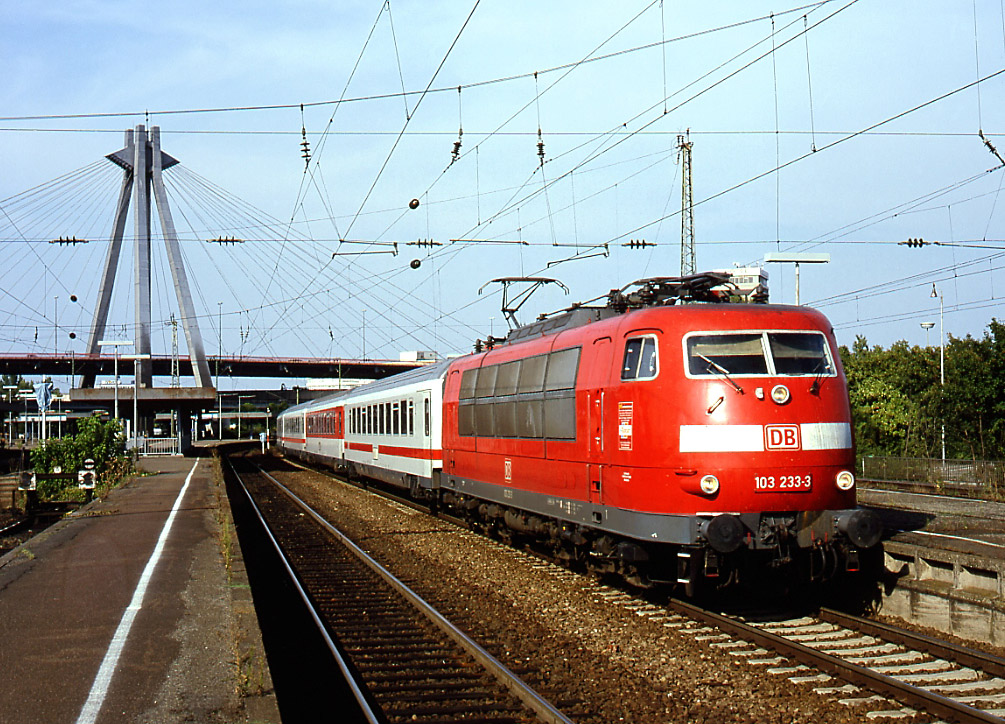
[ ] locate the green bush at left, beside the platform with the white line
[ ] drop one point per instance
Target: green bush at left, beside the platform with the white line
(100, 440)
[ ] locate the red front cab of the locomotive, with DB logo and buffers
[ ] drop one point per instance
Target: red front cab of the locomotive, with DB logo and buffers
(755, 431)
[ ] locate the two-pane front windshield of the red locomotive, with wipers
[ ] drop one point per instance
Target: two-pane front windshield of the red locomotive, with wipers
(759, 353)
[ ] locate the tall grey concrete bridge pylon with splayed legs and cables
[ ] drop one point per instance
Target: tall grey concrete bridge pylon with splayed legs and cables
(143, 164)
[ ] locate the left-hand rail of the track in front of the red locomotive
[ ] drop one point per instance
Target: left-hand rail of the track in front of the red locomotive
(863, 676)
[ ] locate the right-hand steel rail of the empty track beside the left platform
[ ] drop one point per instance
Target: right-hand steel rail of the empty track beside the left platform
(534, 701)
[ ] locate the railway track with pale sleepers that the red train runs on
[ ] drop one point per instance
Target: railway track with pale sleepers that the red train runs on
(879, 670)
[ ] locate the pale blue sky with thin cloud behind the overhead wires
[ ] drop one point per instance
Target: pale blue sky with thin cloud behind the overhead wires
(839, 128)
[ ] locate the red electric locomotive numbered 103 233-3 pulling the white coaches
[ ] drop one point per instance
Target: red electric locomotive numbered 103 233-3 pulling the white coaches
(665, 441)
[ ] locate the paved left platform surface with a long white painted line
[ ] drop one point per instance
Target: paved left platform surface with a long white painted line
(117, 615)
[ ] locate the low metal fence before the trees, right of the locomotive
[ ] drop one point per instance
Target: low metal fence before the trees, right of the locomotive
(978, 478)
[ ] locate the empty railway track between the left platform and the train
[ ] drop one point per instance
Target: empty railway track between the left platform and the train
(406, 662)
